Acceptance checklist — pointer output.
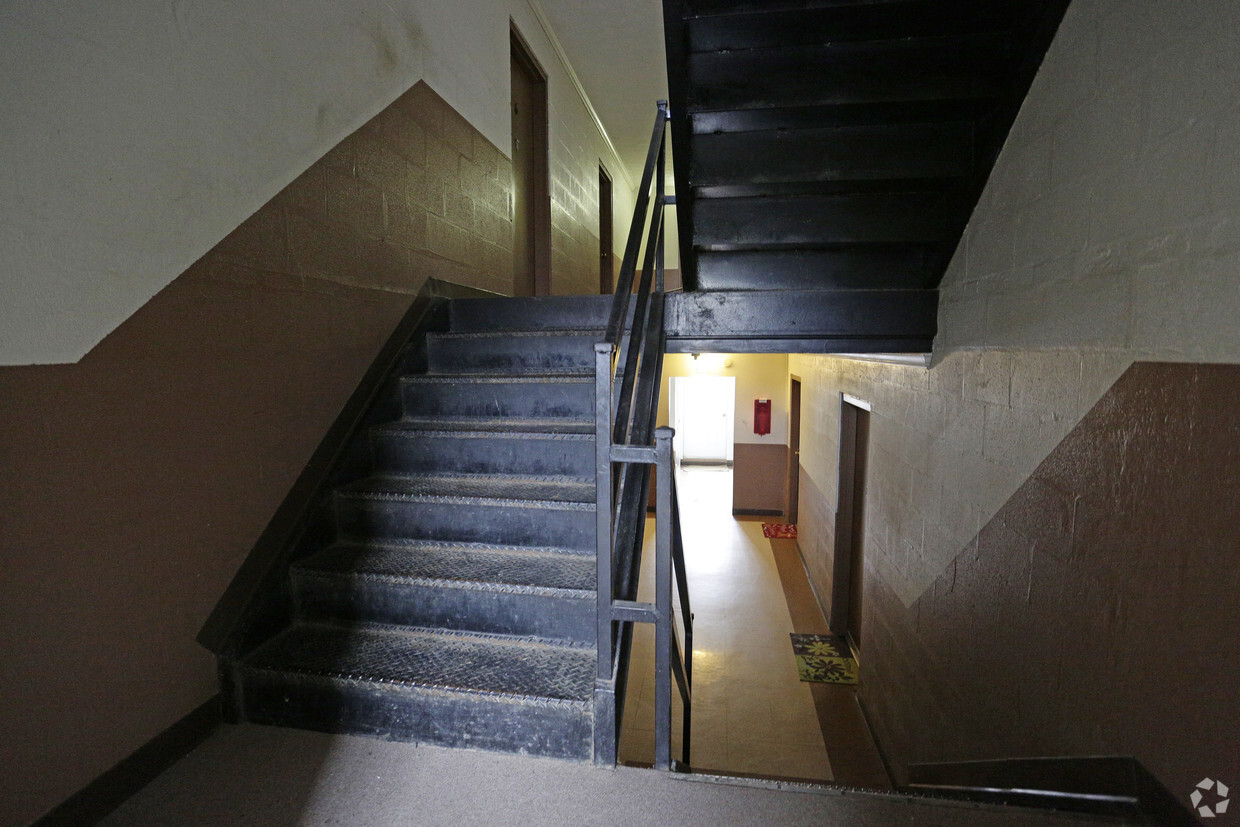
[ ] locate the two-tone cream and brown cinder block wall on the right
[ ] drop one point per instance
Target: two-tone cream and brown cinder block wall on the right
(1031, 540)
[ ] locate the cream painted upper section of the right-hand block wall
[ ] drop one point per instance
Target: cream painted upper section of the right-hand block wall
(1109, 232)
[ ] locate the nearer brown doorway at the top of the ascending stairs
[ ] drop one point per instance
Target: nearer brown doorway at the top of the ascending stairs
(531, 195)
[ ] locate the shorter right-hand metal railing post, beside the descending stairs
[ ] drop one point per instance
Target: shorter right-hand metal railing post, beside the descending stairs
(664, 599)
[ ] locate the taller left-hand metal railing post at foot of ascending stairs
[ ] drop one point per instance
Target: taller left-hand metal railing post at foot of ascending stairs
(603, 354)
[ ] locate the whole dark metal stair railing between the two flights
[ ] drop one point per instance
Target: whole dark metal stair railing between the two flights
(628, 375)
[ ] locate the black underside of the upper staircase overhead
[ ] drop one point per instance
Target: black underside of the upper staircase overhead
(829, 157)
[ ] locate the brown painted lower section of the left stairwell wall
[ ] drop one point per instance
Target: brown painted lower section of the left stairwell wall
(139, 478)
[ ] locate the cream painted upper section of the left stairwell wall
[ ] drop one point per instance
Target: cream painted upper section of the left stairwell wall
(139, 135)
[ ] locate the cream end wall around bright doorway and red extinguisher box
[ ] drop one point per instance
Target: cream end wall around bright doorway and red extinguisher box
(758, 376)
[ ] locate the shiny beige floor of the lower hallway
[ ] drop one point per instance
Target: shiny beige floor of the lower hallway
(751, 712)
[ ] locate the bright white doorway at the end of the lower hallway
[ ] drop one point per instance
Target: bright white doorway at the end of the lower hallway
(702, 410)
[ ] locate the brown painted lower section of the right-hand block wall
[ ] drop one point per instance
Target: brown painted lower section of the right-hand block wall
(1097, 612)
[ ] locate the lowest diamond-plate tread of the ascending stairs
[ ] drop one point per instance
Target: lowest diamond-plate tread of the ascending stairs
(415, 658)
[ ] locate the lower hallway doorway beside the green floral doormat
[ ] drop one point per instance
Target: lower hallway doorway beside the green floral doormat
(850, 559)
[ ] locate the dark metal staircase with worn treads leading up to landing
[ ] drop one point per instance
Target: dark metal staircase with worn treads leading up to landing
(452, 597)
